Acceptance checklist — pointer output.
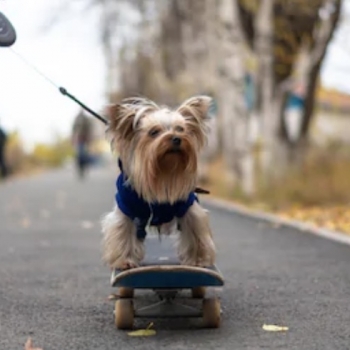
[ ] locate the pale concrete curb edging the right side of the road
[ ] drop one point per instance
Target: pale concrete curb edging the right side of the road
(275, 219)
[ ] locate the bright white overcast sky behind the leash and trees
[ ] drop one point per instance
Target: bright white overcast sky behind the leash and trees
(71, 56)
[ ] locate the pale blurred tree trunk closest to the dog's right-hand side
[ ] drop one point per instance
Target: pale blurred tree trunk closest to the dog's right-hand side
(236, 148)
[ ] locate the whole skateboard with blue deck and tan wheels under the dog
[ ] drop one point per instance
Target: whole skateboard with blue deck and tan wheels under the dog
(162, 273)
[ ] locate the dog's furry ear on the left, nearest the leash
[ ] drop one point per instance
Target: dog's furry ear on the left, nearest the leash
(120, 120)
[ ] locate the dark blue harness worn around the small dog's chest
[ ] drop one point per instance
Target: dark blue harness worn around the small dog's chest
(140, 212)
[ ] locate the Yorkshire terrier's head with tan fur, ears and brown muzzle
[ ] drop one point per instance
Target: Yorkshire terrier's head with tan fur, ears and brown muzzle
(156, 143)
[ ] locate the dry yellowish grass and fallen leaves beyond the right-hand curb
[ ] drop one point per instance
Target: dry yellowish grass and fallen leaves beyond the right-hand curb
(318, 191)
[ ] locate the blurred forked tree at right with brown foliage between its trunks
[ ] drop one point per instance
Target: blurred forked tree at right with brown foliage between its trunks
(279, 32)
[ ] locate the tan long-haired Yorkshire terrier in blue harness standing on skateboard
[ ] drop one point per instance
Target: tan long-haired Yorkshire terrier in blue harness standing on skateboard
(158, 152)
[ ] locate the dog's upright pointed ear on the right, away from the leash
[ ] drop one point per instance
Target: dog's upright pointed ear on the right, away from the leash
(196, 108)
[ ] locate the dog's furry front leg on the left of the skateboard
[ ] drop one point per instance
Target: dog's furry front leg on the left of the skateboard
(120, 247)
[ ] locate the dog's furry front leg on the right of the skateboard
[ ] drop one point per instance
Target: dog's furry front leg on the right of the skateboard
(196, 246)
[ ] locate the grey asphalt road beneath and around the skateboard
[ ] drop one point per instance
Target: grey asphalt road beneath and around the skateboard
(54, 289)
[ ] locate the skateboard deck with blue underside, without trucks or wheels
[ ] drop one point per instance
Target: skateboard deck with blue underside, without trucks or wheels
(161, 269)
